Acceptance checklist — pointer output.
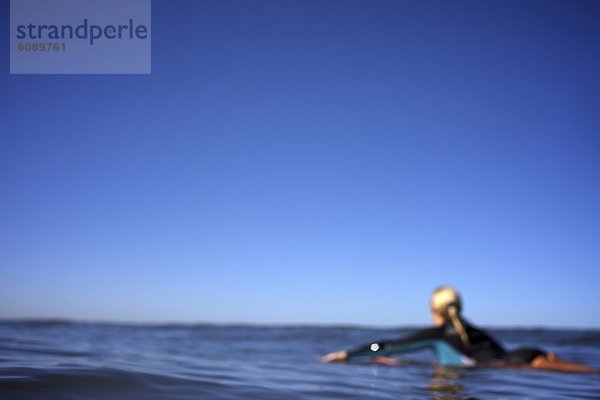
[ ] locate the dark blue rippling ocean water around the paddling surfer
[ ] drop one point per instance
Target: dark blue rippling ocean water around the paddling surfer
(65, 360)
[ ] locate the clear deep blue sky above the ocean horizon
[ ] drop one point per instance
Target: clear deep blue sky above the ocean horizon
(313, 162)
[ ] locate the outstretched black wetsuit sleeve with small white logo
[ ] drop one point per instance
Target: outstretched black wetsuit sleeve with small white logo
(419, 340)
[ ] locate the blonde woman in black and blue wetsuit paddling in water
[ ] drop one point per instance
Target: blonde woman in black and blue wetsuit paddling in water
(456, 342)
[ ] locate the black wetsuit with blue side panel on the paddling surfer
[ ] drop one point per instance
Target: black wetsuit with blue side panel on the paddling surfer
(449, 348)
